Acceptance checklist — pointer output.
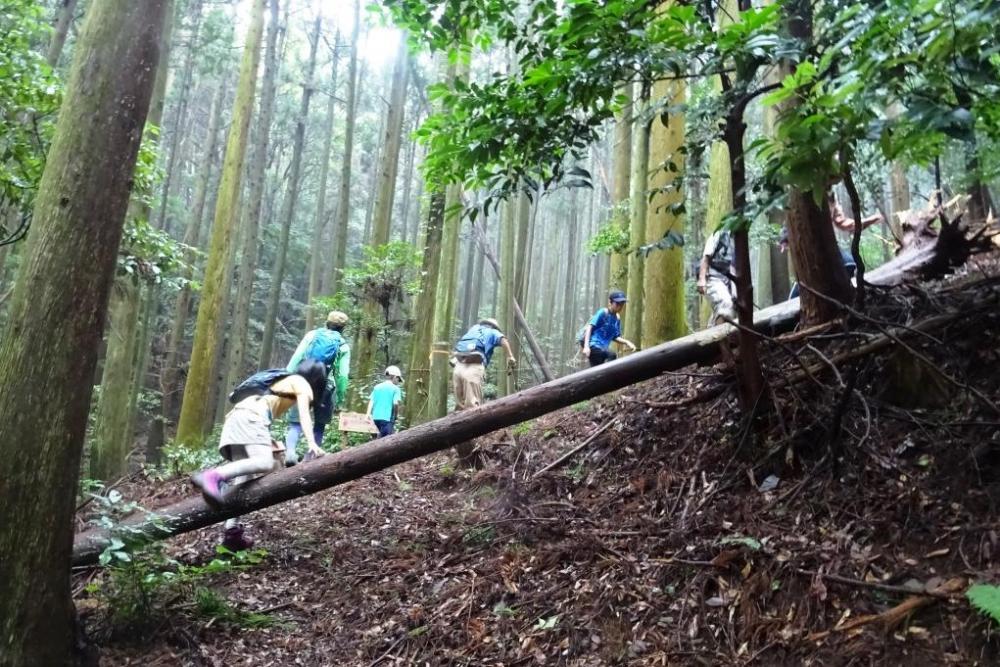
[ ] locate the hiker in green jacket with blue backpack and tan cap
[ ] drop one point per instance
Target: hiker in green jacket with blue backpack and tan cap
(328, 346)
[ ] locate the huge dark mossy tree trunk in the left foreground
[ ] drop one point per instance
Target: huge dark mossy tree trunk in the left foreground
(63, 286)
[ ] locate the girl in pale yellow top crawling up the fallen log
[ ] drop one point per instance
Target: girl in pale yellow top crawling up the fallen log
(246, 435)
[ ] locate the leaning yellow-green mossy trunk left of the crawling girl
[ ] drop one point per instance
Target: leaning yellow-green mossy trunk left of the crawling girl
(196, 409)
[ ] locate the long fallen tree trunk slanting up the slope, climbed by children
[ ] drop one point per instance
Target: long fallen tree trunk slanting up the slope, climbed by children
(441, 434)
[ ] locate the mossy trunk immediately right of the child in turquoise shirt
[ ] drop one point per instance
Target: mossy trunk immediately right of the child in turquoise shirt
(417, 395)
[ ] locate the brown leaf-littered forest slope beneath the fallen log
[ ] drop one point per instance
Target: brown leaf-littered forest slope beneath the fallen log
(683, 535)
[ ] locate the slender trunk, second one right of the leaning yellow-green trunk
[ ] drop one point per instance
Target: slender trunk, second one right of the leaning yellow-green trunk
(289, 204)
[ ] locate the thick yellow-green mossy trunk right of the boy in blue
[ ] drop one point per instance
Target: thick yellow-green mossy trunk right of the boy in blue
(663, 280)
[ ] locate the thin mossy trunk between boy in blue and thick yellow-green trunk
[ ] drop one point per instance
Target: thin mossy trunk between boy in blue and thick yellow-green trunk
(637, 225)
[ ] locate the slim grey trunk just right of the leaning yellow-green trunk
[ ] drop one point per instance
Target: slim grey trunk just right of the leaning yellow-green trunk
(251, 231)
